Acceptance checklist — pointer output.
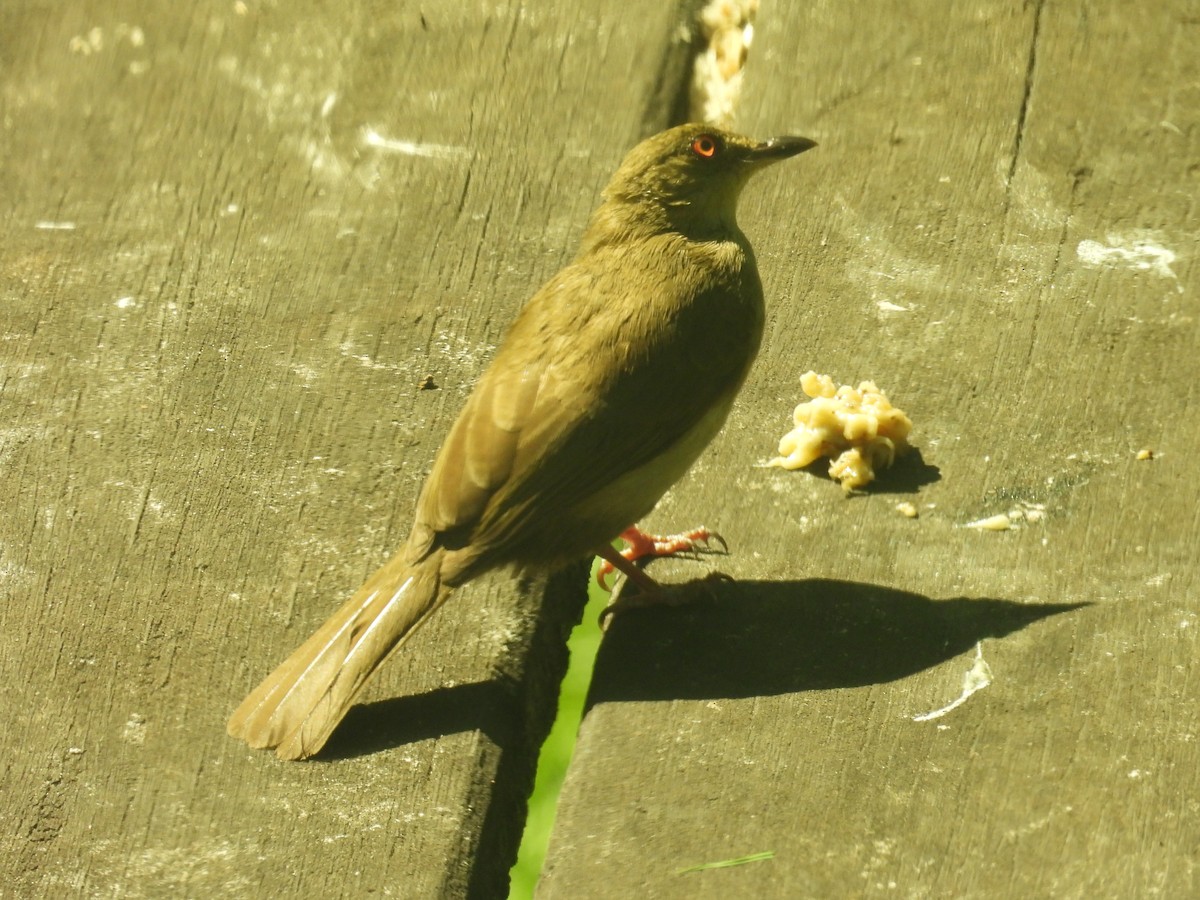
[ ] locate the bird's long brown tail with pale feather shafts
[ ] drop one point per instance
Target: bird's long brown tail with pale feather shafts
(298, 706)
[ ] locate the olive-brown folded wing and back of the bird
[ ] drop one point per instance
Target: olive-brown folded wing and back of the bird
(596, 380)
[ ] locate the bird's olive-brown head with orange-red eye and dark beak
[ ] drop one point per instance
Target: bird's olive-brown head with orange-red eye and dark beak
(697, 172)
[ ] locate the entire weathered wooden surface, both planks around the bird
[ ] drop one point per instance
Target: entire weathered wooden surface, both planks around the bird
(211, 429)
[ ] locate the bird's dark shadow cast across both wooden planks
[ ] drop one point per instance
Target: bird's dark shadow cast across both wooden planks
(736, 640)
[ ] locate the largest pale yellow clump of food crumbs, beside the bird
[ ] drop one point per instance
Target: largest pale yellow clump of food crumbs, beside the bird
(857, 427)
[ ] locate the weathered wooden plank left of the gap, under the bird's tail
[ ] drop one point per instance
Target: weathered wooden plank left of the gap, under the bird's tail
(238, 241)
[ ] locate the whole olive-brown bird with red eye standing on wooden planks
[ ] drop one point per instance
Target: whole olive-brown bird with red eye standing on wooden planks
(609, 385)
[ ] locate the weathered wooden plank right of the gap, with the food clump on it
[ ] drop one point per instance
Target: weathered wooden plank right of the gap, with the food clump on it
(967, 153)
